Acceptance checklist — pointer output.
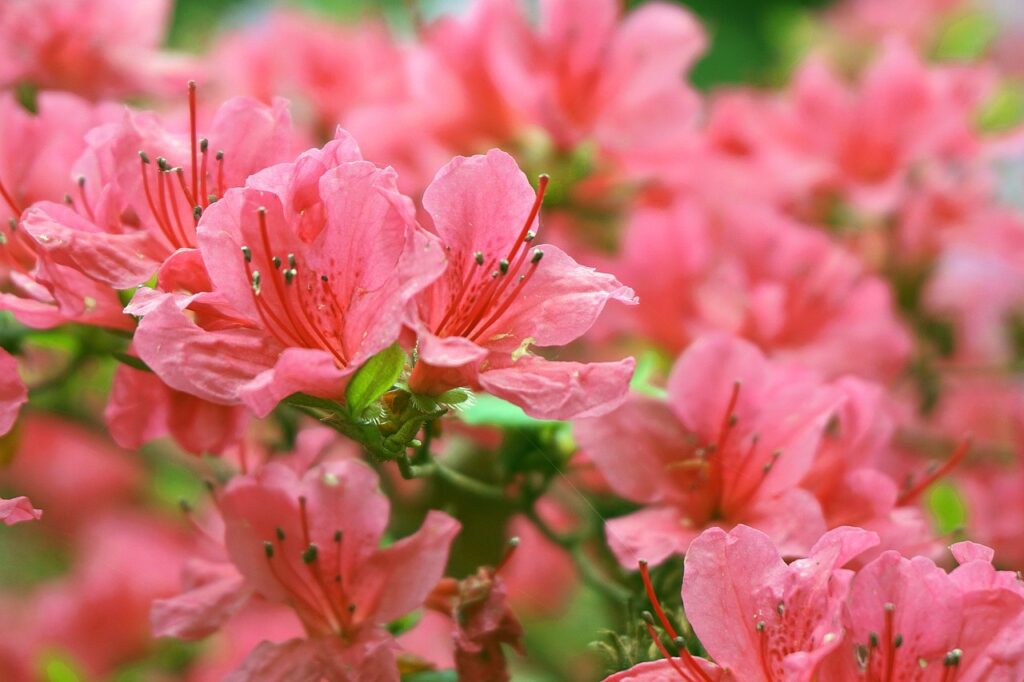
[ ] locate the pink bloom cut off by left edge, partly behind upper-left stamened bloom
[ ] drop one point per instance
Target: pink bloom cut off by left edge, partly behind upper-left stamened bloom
(37, 154)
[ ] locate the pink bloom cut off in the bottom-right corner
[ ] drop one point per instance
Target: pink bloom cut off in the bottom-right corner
(908, 619)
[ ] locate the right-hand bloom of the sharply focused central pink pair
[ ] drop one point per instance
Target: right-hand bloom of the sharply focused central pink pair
(500, 295)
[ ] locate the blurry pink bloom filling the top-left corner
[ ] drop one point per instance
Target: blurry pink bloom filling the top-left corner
(98, 49)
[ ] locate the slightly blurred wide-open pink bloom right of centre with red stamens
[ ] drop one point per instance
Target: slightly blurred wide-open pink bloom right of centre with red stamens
(732, 445)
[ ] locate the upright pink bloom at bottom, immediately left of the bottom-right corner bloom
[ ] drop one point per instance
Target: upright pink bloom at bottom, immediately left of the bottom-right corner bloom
(761, 619)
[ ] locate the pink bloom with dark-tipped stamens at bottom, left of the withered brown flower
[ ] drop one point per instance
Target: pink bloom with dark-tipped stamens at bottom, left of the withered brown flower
(313, 542)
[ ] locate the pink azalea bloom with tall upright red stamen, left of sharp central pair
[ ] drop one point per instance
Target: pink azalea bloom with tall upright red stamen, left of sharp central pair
(144, 188)
